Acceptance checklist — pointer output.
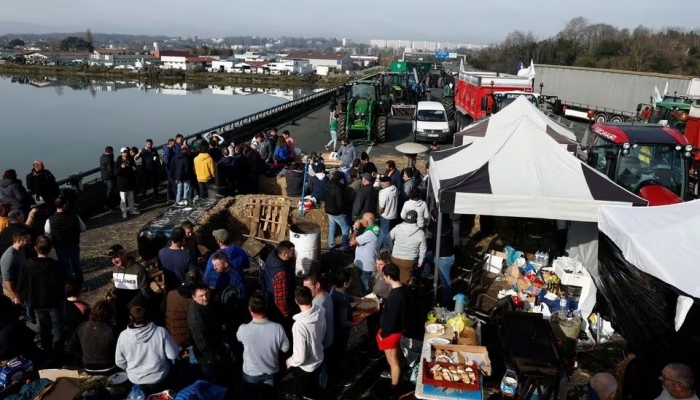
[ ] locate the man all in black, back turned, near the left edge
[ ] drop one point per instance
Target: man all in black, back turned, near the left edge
(41, 283)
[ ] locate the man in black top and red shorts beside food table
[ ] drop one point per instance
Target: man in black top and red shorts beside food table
(392, 322)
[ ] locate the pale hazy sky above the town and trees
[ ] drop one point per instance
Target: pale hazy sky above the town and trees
(449, 20)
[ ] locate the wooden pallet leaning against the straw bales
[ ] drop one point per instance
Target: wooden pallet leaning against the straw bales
(268, 220)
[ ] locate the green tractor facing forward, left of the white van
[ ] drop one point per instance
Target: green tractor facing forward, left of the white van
(363, 111)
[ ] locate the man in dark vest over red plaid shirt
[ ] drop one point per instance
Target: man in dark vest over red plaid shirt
(279, 281)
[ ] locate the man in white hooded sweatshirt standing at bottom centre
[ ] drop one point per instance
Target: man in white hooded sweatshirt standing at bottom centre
(307, 343)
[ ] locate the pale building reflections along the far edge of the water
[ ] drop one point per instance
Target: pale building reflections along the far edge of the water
(177, 89)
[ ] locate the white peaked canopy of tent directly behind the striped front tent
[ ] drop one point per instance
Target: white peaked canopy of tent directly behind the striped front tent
(518, 108)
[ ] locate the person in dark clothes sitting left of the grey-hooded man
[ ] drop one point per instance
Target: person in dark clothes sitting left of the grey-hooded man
(96, 340)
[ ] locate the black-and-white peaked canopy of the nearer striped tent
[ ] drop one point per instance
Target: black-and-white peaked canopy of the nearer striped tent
(520, 171)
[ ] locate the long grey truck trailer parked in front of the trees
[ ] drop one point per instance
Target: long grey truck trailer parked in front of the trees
(611, 95)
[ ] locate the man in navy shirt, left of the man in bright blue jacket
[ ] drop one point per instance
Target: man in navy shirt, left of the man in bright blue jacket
(175, 260)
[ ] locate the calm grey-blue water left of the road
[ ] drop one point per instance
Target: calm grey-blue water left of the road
(67, 124)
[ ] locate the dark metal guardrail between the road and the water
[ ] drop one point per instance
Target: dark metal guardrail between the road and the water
(253, 123)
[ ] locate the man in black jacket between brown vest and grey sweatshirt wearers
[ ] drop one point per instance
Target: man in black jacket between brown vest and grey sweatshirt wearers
(207, 333)
